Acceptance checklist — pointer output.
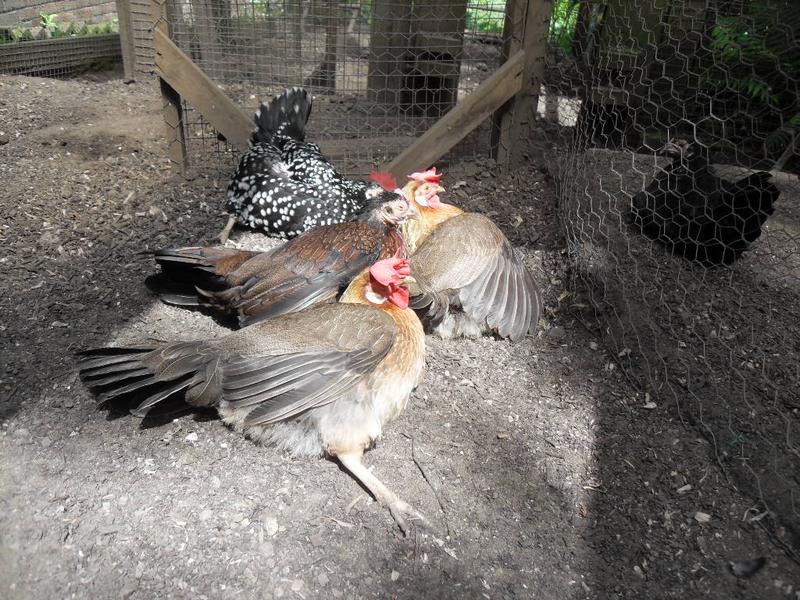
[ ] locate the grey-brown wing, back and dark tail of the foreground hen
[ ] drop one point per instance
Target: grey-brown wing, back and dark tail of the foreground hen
(270, 371)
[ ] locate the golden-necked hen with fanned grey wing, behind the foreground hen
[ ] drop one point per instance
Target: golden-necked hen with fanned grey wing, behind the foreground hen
(467, 278)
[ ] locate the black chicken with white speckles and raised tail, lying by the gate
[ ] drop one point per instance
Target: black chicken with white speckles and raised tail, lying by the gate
(284, 185)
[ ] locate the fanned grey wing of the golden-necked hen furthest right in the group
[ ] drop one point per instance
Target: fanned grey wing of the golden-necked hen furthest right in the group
(468, 262)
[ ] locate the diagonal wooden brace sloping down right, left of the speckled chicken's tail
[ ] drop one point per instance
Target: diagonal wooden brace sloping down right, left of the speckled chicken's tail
(194, 86)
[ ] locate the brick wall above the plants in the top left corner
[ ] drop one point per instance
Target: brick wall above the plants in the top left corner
(25, 13)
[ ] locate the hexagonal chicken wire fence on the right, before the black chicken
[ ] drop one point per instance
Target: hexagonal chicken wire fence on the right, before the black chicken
(650, 223)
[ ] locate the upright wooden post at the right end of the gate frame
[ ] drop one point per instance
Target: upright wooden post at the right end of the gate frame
(526, 29)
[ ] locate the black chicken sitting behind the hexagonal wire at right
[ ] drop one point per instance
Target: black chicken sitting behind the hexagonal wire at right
(697, 215)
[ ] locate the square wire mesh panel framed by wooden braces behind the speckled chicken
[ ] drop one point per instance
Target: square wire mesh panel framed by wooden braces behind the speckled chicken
(381, 71)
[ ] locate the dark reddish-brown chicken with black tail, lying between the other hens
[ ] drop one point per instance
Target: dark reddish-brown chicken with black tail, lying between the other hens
(310, 269)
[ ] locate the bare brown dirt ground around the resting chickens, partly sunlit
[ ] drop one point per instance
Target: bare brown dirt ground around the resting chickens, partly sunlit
(545, 473)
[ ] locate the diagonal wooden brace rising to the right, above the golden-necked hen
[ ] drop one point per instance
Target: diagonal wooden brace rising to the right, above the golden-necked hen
(465, 116)
